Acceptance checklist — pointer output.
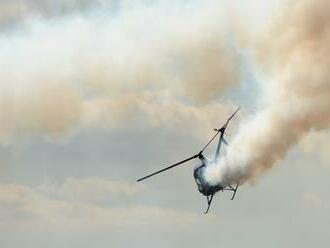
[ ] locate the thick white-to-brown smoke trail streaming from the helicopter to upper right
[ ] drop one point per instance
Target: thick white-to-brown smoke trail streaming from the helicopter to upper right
(295, 55)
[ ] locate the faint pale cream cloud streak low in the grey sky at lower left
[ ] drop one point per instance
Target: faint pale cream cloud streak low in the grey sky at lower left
(72, 205)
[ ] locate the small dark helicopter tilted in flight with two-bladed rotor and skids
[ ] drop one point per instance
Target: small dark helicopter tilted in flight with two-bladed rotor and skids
(204, 186)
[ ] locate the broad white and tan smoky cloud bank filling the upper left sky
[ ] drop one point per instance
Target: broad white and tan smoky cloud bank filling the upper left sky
(58, 73)
